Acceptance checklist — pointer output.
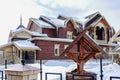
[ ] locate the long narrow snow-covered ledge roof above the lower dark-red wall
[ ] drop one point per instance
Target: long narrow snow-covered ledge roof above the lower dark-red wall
(51, 39)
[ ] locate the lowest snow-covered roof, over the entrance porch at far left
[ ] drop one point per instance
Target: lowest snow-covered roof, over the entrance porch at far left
(21, 45)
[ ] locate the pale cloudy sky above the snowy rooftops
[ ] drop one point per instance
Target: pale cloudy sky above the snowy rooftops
(12, 9)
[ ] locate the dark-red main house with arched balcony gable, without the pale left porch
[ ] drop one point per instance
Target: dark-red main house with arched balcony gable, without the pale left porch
(63, 28)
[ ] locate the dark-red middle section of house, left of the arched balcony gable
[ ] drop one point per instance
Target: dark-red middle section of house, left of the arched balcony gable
(60, 34)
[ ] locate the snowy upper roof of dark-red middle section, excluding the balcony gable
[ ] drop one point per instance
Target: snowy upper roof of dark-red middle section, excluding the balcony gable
(51, 22)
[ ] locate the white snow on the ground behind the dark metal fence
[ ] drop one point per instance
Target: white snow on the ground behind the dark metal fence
(56, 66)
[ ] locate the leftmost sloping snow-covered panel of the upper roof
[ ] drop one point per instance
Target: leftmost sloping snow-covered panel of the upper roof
(41, 23)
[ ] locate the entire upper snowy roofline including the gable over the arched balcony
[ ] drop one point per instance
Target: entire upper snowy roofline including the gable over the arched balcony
(61, 21)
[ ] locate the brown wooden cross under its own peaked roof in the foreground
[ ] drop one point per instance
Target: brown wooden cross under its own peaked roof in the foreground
(86, 49)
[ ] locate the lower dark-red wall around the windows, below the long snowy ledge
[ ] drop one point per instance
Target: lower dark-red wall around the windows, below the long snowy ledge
(47, 49)
